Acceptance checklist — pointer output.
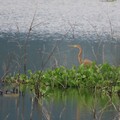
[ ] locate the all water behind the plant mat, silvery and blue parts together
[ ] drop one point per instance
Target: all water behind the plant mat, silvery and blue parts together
(92, 23)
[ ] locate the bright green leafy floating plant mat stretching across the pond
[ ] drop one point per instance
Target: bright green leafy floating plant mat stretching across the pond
(104, 78)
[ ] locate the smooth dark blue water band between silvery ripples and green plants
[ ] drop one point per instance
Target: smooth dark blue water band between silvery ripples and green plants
(49, 54)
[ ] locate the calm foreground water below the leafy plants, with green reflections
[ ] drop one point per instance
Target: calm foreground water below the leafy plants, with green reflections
(61, 105)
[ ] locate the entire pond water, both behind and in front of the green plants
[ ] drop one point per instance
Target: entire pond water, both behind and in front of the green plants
(94, 24)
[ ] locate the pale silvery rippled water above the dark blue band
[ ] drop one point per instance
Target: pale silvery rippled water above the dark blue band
(58, 16)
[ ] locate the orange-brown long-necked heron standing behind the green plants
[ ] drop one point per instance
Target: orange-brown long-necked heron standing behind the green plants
(81, 61)
